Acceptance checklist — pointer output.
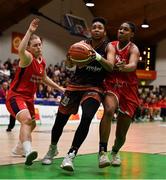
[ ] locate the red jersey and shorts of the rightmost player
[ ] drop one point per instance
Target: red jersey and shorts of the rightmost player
(123, 84)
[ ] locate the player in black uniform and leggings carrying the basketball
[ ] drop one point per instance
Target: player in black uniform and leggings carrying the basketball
(85, 90)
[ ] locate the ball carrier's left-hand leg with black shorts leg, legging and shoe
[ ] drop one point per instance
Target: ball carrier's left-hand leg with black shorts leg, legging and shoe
(69, 105)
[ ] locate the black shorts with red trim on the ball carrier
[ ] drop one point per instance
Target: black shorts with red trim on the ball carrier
(72, 99)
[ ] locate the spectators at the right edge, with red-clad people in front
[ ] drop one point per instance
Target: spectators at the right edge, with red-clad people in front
(152, 104)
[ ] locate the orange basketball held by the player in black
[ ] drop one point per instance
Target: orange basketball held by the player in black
(80, 53)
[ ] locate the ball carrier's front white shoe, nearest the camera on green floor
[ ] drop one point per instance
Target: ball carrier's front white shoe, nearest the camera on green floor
(67, 163)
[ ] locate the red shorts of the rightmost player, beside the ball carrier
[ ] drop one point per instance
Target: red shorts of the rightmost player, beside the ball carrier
(127, 97)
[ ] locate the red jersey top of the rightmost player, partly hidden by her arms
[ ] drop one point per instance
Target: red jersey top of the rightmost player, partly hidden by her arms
(122, 77)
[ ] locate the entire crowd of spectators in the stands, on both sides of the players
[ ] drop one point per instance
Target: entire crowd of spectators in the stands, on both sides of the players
(152, 100)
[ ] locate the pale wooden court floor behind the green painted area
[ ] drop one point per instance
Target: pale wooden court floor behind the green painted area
(147, 137)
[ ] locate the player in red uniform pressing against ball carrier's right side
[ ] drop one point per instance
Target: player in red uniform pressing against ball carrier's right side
(121, 91)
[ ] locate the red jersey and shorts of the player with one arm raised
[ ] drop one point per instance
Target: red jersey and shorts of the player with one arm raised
(23, 87)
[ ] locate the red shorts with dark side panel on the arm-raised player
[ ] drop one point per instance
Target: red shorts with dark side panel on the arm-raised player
(16, 104)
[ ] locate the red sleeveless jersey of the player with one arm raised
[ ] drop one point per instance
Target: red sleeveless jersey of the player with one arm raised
(26, 79)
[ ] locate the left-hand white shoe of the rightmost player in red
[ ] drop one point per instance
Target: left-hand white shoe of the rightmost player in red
(104, 159)
